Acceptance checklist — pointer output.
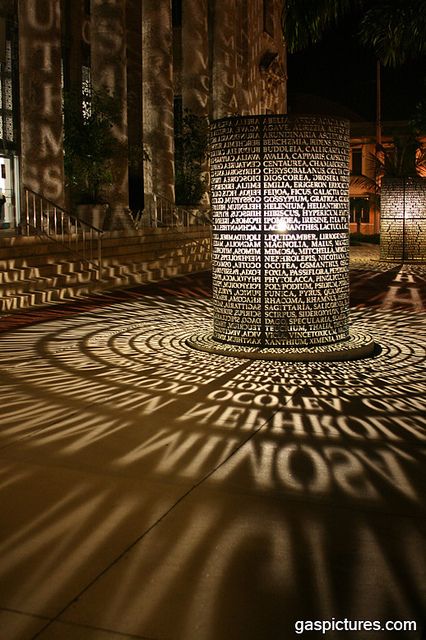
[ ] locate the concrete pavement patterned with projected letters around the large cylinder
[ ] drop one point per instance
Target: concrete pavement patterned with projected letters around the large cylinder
(151, 491)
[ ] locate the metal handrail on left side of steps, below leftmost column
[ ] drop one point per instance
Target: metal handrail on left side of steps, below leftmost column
(50, 220)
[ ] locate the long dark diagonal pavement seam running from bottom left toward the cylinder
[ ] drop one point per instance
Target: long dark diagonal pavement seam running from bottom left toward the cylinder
(58, 616)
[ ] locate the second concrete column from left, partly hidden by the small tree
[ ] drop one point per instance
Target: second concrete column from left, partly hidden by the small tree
(108, 57)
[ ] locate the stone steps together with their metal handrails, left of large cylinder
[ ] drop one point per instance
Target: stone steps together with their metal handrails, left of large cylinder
(63, 258)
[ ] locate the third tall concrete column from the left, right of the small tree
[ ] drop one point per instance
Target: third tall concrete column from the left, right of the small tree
(158, 131)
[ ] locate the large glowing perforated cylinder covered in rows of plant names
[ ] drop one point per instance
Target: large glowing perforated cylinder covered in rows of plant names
(280, 230)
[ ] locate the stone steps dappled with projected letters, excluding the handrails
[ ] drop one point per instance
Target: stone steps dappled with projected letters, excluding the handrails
(35, 271)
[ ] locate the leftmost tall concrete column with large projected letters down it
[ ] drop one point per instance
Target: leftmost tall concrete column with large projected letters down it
(42, 160)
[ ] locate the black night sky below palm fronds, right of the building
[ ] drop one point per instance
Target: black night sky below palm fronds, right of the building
(342, 70)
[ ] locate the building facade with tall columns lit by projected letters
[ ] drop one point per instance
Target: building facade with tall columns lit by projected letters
(160, 60)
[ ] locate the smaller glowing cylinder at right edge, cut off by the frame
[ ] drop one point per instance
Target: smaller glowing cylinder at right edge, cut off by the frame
(403, 219)
